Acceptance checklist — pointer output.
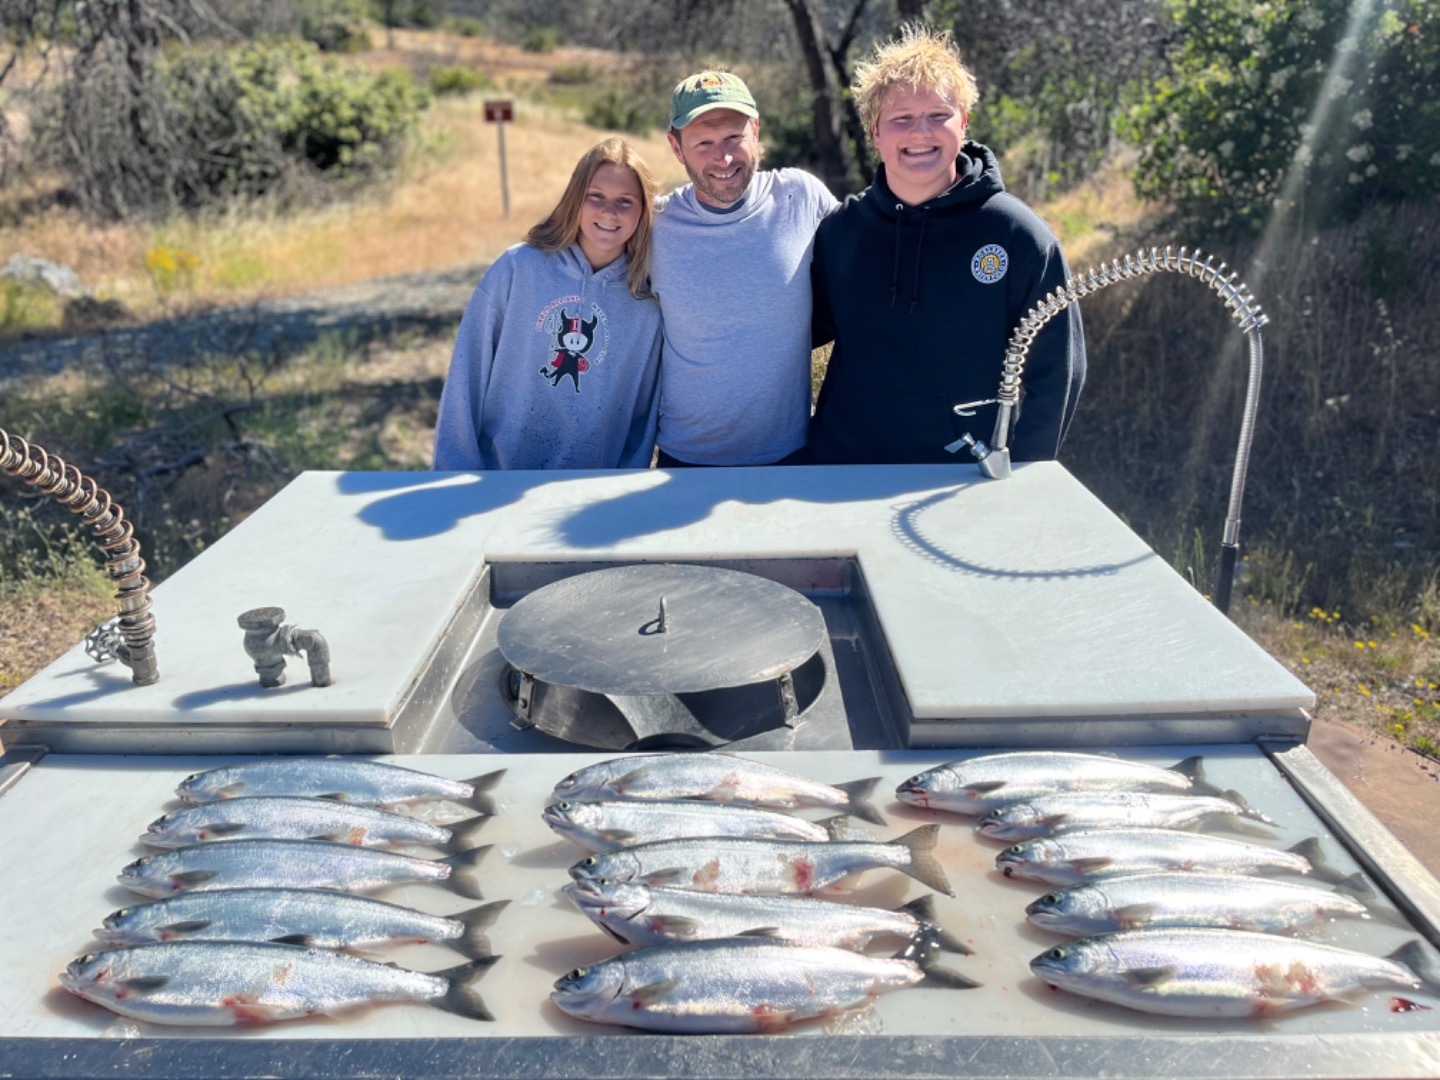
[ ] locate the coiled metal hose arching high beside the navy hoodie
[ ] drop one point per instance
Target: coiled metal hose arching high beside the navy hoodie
(1243, 310)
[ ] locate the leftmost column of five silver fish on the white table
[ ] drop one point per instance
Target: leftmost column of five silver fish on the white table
(251, 930)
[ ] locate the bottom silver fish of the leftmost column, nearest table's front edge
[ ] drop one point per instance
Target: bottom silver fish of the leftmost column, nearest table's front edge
(250, 983)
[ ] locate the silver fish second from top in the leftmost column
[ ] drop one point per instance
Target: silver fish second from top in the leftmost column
(292, 817)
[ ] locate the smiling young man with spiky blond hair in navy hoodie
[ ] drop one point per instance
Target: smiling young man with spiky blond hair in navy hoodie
(922, 280)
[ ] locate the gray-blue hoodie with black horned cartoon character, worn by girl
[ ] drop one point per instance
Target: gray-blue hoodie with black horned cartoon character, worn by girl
(555, 368)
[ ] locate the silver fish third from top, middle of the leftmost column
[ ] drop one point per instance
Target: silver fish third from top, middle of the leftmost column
(296, 865)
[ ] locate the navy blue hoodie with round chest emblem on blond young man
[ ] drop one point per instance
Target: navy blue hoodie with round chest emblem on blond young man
(921, 303)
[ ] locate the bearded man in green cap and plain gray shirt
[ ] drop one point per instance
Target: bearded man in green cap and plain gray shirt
(731, 266)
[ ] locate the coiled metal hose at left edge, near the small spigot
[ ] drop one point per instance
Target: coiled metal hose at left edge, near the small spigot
(70, 487)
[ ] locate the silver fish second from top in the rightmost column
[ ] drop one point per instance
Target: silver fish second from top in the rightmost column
(1050, 814)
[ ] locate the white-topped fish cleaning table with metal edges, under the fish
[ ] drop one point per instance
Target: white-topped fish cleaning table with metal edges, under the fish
(957, 614)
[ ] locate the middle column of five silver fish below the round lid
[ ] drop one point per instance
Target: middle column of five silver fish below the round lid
(696, 862)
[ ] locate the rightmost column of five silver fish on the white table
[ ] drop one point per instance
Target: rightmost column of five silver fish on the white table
(1167, 922)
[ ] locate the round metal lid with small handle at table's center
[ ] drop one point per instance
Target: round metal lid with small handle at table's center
(659, 629)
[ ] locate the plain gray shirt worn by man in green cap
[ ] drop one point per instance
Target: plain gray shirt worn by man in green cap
(735, 388)
